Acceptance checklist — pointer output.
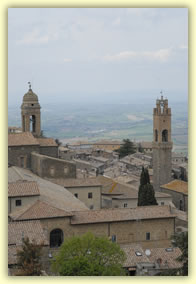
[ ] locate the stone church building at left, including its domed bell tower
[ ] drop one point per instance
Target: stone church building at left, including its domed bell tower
(29, 149)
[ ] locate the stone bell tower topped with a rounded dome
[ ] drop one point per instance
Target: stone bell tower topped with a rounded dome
(30, 113)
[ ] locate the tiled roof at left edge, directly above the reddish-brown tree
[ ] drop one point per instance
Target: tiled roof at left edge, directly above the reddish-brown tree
(31, 229)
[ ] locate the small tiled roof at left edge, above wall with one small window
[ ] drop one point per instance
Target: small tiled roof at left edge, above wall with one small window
(23, 188)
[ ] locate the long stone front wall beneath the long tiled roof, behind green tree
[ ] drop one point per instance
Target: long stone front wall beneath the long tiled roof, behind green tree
(125, 231)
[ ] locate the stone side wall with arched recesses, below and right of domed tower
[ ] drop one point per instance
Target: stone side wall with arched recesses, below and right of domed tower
(45, 166)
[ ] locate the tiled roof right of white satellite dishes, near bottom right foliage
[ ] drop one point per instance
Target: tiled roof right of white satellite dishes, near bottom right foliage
(167, 257)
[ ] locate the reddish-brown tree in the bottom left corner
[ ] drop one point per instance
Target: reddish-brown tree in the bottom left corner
(28, 259)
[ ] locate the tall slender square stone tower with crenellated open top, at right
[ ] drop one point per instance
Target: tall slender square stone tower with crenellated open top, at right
(162, 144)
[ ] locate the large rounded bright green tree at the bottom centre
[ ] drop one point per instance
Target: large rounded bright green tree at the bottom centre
(89, 256)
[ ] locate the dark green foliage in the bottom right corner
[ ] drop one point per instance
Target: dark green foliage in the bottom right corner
(181, 241)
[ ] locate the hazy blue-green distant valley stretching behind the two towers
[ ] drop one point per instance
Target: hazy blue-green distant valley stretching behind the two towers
(81, 121)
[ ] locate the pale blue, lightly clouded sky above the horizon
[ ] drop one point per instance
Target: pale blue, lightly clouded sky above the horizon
(89, 54)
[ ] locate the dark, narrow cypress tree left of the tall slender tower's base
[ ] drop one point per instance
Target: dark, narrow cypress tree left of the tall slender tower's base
(146, 195)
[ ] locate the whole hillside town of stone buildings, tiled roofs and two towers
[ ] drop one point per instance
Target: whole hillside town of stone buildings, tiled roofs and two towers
(58, 191)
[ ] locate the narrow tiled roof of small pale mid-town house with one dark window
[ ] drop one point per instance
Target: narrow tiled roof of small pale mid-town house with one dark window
(79, 182)
